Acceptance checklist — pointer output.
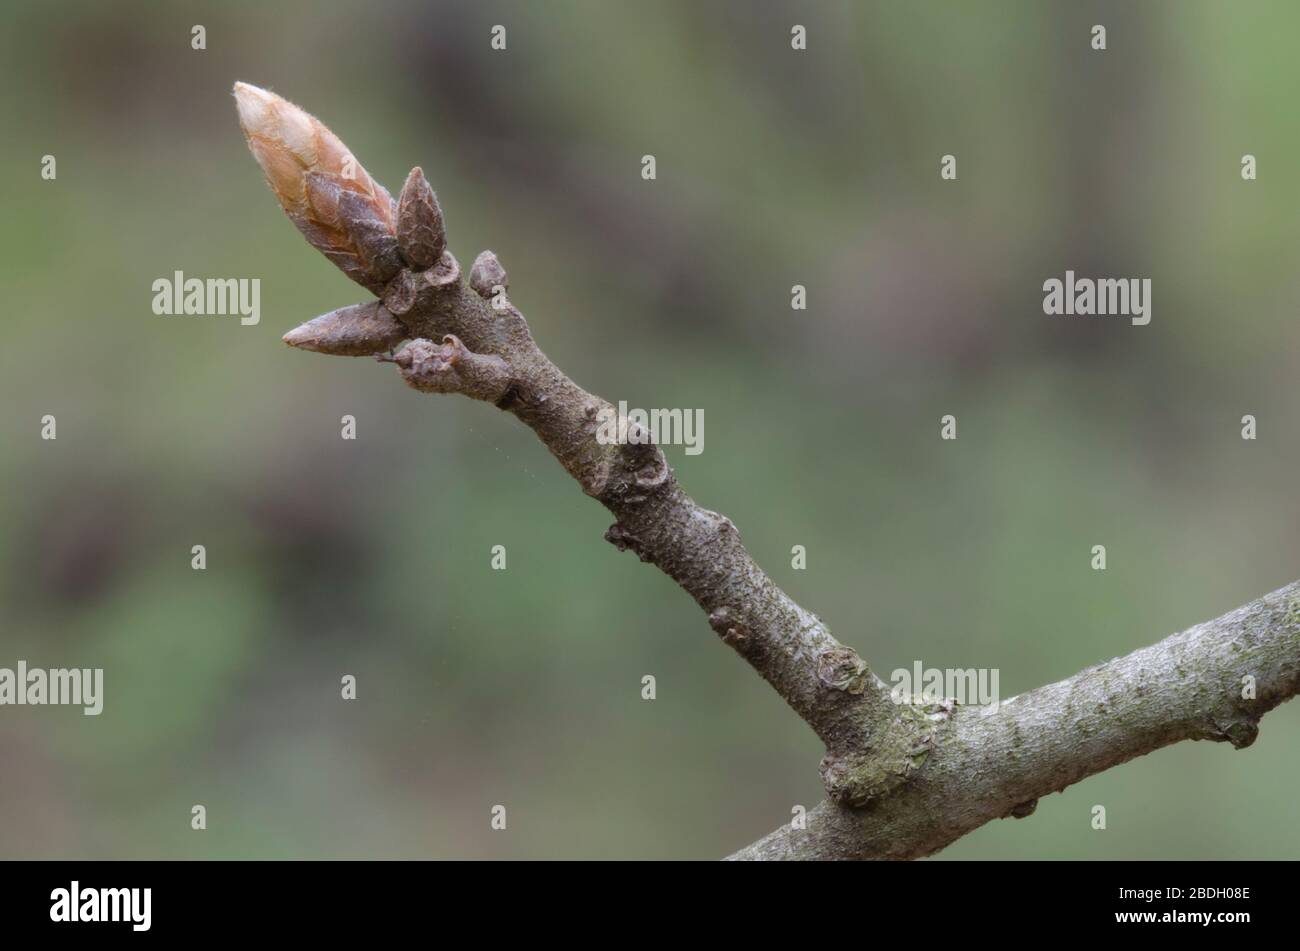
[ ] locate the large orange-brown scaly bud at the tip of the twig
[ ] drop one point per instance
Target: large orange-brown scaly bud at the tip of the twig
(341, 211)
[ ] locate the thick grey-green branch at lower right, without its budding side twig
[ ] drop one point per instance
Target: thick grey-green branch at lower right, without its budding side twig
(998, 765)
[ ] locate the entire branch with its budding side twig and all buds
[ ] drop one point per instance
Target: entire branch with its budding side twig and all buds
(898, 775)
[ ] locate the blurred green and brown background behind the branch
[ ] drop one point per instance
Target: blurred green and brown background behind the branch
(523, 688)
